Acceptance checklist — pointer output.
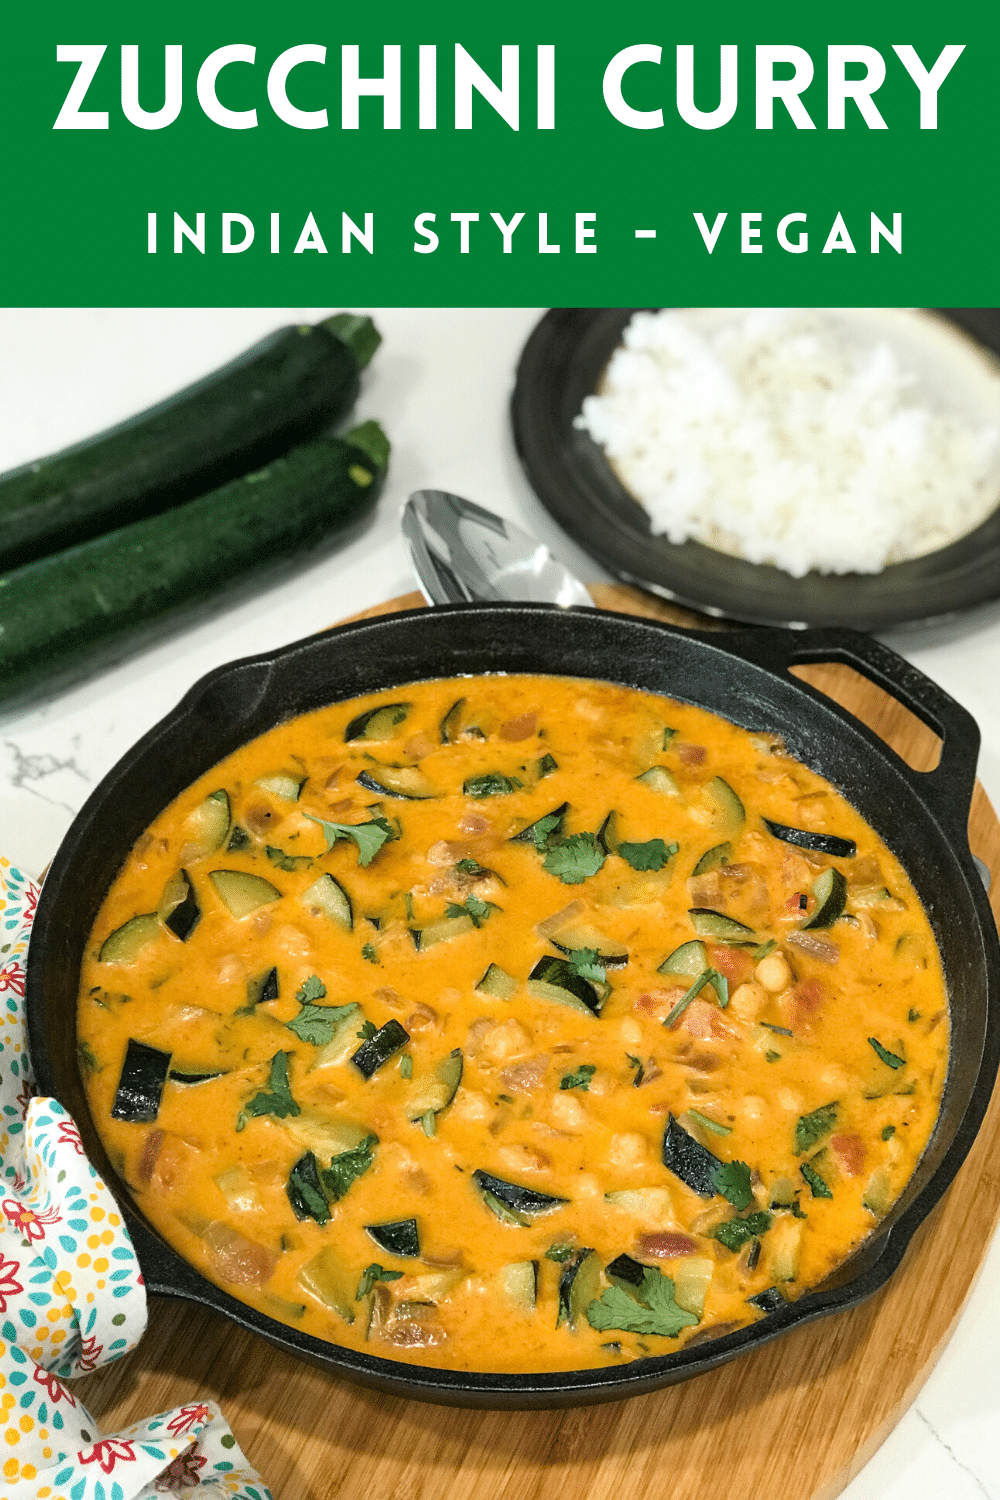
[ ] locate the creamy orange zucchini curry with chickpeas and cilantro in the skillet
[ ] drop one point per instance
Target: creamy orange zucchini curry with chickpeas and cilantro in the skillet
(513, 1024)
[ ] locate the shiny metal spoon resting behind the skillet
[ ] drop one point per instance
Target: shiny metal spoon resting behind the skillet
(464, 554)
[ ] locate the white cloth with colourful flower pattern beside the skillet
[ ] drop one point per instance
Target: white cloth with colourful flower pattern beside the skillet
(73, 1298)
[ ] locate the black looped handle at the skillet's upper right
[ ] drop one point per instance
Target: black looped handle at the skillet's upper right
(950, 787)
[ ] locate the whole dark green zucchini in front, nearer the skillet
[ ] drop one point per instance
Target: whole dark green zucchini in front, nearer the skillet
(76, 611)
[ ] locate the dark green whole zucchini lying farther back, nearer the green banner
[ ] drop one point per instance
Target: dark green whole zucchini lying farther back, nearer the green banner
(283, 392)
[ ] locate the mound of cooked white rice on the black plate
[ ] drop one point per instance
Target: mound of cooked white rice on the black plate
(801, 437)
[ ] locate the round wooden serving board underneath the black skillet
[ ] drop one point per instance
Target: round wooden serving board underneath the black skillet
(795, 1420)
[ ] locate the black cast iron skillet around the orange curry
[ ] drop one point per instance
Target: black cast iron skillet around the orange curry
(741, 676)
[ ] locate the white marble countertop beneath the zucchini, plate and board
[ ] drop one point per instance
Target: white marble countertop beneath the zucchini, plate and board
(440, 385)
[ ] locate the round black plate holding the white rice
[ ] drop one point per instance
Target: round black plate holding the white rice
(564, 361)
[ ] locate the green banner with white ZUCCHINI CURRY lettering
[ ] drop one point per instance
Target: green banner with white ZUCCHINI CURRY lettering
(543, 154)
